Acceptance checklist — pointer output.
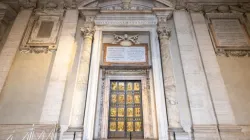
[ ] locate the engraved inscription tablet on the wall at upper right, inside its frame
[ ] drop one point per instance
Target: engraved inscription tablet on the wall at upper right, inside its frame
(229, 33)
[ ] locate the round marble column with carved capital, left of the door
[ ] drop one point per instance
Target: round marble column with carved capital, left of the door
(80, 90)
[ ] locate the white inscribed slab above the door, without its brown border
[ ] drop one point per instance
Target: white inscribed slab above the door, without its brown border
(116, 54)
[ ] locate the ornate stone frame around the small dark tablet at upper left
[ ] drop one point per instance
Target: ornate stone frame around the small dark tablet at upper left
(31, 42)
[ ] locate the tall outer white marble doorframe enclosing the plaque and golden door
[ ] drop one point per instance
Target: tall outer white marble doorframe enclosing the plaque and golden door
(157, 82)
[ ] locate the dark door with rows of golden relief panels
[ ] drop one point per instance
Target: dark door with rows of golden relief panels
(125, 110)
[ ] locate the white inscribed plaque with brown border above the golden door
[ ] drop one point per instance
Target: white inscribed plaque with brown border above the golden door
(116, 54)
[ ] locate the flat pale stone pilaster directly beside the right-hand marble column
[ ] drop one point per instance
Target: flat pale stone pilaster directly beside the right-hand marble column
(198, 92)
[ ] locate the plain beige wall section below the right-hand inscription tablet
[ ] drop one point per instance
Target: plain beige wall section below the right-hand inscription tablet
(235, 72)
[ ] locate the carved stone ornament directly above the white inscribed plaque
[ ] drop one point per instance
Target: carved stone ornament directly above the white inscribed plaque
(125, 40)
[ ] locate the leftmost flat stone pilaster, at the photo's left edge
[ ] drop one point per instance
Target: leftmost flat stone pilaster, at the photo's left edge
(12, 43)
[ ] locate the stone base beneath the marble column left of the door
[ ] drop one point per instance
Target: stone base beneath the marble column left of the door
(73, 134)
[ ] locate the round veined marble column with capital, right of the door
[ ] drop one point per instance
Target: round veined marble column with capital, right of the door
(169, 79)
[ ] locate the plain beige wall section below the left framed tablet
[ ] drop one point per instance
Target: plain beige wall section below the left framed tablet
(23, 94)
